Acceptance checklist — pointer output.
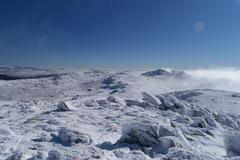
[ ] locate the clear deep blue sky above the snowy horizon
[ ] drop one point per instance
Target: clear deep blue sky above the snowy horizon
(120, 33)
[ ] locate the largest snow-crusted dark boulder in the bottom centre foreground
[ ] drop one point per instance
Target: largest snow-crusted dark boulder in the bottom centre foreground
(160, 137)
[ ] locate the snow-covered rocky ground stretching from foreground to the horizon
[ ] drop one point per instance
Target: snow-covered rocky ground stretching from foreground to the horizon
(130, 115)
